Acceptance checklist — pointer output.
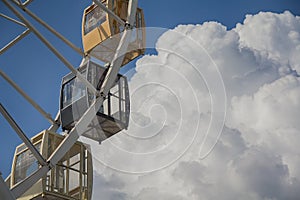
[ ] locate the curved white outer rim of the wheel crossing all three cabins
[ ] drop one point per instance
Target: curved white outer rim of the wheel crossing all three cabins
(88, 116)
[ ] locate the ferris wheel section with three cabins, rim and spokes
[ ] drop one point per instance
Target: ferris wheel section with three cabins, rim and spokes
(94, 101)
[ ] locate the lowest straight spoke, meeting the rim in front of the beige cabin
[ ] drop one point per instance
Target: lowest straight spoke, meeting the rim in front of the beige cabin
(22, 135)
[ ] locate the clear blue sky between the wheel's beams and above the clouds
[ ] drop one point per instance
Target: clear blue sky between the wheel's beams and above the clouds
(35, 69)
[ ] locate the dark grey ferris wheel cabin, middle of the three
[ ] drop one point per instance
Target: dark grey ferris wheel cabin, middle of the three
(76, 98)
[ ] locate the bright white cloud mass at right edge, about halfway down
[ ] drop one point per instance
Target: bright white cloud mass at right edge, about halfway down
(273, 107)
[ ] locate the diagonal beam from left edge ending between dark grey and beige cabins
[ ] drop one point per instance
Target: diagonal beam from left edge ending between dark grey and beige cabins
(35, 105)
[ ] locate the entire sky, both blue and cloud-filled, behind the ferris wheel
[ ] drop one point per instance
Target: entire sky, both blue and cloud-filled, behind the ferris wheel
(215, 107)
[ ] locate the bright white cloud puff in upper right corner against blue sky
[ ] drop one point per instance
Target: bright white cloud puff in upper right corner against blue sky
(275, 36)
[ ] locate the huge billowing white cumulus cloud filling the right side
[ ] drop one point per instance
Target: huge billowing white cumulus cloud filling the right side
(178, 103)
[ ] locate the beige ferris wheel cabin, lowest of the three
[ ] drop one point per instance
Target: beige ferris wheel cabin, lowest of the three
(70, 179)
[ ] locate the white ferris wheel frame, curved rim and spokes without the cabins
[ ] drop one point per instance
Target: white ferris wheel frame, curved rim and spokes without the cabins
(114, 67)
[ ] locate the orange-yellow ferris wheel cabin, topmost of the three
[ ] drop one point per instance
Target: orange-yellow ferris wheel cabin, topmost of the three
(101, 33)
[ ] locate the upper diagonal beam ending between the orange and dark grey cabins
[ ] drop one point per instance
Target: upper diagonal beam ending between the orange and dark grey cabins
(52, 30)
